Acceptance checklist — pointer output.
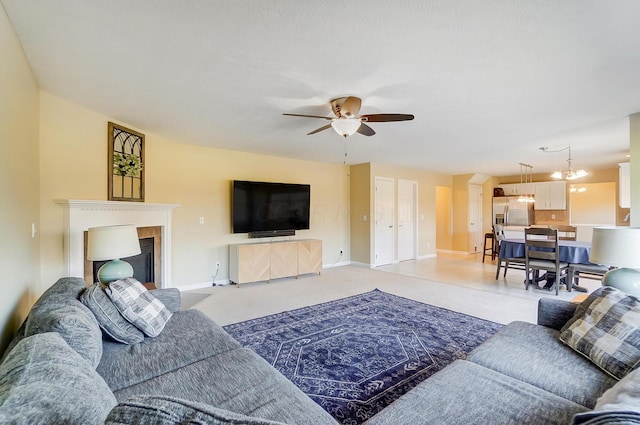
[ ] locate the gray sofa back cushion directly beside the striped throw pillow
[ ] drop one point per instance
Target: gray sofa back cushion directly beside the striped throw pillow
(59, 310)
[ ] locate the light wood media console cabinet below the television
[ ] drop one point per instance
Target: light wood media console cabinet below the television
(263, 261)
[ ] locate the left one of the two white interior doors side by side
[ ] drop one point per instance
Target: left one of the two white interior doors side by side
(384, 218)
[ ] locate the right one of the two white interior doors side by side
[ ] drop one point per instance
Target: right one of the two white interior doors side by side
(407, 224)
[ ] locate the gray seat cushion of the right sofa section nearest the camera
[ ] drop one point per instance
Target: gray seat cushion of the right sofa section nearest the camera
(467, 393)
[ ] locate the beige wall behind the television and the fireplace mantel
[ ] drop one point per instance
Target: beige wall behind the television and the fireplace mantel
(74, 158)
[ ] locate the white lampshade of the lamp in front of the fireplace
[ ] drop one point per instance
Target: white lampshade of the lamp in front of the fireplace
(112, 242)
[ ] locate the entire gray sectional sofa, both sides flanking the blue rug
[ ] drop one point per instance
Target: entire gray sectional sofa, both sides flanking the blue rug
(60, 369)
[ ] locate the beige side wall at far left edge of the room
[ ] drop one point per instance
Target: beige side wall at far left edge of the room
(19, 174)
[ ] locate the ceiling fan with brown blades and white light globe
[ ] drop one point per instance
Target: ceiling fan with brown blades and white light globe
(347, 121)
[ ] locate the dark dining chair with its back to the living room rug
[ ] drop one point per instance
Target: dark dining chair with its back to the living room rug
(542, 253)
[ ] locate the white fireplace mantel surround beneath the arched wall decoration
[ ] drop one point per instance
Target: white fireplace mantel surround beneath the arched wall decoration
(80, 215)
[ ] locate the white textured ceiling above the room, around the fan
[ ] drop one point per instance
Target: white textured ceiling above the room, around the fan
(489, 82)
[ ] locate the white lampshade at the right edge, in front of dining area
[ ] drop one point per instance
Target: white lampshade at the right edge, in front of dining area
(616, 246)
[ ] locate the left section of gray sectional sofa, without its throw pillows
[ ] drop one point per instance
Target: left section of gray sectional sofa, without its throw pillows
(60, 370)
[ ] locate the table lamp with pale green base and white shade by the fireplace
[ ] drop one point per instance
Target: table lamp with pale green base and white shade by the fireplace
(113, 243)
